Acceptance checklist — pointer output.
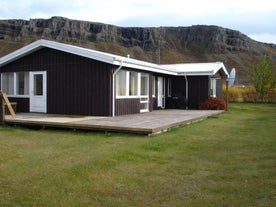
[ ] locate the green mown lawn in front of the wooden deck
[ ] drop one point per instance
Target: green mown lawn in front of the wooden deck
(228, 160)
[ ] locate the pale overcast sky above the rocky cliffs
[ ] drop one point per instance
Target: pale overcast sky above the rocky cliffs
(255, 18)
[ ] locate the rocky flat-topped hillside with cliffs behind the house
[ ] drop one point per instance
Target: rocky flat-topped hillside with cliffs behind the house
(163, 45)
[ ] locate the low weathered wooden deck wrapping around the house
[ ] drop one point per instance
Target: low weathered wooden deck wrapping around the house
(144, 123)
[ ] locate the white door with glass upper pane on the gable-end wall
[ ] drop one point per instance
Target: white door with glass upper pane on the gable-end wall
(38, 98)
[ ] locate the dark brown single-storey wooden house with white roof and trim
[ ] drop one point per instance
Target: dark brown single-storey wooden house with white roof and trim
(55, 78)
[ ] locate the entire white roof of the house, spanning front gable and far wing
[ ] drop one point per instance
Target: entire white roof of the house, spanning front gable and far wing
(173, 69)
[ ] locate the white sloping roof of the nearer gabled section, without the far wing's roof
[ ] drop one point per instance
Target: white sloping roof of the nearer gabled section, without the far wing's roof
(84, 52)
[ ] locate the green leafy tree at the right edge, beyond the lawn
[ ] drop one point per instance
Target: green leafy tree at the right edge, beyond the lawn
(263, 77)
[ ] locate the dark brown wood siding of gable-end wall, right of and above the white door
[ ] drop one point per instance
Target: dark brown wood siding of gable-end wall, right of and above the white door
(75, 84)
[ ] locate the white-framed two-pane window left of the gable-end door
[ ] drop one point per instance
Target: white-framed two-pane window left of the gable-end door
(15, 84)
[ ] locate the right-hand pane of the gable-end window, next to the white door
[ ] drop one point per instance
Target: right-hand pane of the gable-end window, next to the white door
(22, 83)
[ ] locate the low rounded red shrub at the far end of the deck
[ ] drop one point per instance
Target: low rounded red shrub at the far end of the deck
(213, 104)
